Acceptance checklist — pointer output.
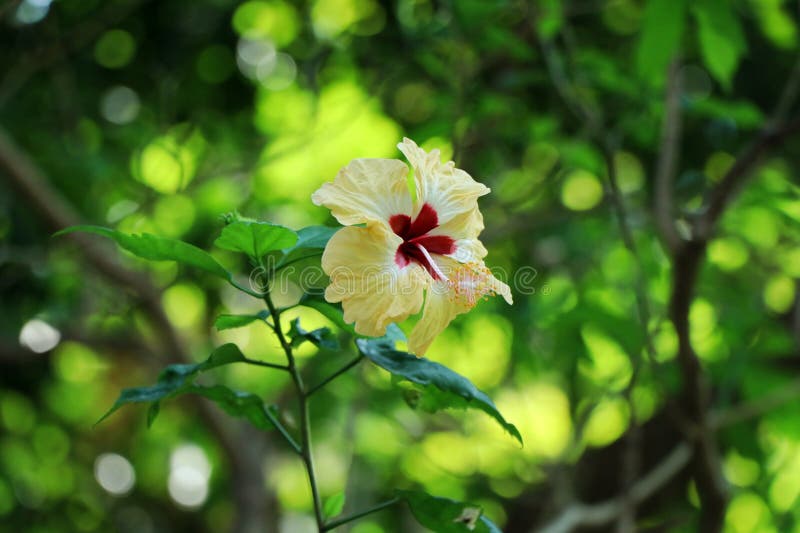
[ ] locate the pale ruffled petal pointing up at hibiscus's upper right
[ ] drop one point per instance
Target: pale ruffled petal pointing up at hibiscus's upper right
(449, 190)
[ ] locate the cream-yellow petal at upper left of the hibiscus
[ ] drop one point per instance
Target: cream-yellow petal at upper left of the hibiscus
(367, 190)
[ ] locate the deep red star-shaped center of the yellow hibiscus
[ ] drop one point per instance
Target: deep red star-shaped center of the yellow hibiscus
(417, 245)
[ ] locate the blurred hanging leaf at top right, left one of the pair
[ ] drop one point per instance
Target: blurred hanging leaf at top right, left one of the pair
(662, 30)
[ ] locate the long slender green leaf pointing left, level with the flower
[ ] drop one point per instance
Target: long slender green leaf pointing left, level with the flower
(156, 248)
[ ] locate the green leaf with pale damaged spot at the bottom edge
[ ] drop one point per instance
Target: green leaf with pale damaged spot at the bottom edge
(447, 516)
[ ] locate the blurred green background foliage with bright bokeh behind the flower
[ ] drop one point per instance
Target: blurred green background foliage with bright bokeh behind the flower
(160, 116)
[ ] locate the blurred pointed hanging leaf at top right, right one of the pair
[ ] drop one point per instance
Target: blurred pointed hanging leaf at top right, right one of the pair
(722, 41)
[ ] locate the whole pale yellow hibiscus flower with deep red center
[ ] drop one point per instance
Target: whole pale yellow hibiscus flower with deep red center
(396, 253)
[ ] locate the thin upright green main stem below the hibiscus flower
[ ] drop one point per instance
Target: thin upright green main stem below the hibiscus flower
(302, 398)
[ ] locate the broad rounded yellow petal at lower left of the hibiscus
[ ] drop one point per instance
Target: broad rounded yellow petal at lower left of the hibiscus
(373, 289)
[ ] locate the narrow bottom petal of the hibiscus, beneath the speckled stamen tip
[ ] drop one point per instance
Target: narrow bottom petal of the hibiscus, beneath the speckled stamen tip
(466, 284)
